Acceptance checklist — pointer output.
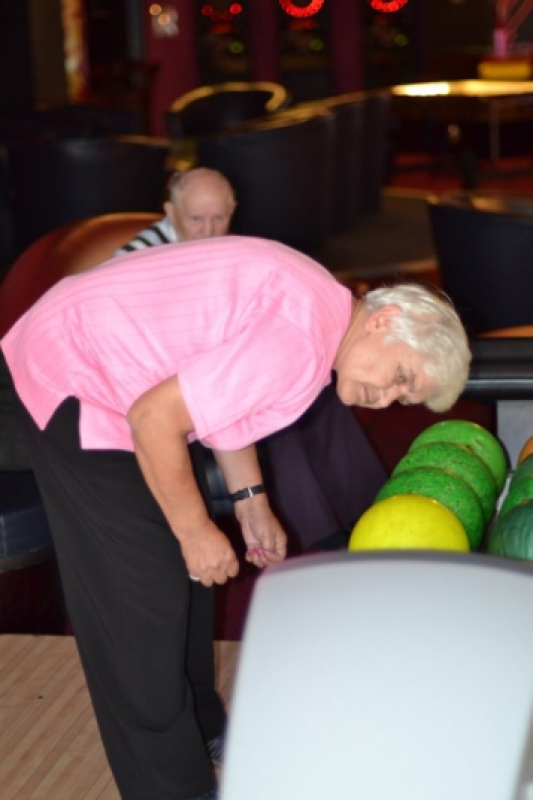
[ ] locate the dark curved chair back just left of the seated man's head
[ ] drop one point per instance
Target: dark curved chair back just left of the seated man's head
(56, 182)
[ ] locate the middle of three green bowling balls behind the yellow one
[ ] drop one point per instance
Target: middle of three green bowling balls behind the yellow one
(460, 461)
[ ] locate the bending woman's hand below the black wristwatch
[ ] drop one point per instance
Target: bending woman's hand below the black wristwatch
(265, 539)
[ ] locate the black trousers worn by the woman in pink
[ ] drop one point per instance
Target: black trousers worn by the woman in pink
(143, 629)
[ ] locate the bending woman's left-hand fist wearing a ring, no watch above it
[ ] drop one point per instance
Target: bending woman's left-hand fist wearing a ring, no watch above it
(209, 555)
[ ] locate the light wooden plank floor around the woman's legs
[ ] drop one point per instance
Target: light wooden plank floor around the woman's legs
(50, 748)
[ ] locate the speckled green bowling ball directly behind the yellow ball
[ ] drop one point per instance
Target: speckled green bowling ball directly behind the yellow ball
(448, 489)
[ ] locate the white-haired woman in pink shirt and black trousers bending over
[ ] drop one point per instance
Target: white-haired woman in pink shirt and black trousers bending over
(225, 340)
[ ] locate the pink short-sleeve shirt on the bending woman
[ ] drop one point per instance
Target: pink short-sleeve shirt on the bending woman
(250, 328)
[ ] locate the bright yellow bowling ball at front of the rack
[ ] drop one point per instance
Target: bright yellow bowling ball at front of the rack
(408, 522)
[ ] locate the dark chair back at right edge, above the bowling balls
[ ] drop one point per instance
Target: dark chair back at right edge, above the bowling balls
(484, 246)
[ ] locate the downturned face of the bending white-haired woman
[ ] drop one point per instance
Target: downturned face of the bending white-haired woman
(375, 374)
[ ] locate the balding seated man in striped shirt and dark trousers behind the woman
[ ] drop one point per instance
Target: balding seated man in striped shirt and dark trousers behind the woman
(321, 473)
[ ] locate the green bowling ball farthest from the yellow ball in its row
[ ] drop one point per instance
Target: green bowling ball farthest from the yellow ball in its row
(475, 438)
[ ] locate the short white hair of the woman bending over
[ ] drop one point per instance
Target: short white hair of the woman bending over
(429, 324)
